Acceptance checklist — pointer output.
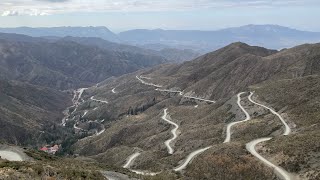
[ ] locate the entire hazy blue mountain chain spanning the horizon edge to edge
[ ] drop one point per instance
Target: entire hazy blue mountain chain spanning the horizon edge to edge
(269, 36)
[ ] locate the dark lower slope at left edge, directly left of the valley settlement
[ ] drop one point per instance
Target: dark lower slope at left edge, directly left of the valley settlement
(28, 112)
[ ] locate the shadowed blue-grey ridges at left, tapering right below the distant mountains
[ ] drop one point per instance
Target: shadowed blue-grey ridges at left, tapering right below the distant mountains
(63, 64)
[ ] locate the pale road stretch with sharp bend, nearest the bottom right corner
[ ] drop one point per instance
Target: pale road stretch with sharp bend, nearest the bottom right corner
(251, 148)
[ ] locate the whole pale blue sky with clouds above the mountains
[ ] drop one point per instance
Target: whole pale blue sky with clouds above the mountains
(120, 15)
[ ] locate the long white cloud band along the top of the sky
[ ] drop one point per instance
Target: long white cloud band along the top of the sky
(46, 7)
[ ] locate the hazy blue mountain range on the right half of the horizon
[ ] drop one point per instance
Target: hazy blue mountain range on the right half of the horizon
(269, 36)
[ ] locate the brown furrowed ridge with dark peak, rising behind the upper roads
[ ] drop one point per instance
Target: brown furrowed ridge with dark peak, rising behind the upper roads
(233, 68)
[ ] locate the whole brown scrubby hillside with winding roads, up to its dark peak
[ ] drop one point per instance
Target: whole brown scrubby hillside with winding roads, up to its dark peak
(202, 98)
